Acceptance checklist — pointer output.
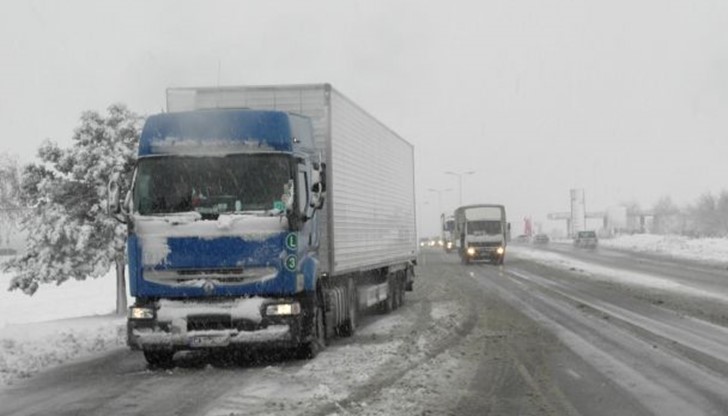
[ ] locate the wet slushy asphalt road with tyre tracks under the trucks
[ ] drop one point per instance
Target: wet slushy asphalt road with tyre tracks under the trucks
(524, 338)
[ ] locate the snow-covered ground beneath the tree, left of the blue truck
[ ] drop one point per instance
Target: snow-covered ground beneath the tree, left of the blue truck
(55, 325)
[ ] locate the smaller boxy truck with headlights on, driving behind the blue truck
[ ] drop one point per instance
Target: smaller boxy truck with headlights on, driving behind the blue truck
(482, 231)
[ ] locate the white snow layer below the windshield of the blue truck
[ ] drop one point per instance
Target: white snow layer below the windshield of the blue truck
(154, 231)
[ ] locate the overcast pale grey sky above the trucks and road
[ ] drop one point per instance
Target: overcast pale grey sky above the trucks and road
(627, 99)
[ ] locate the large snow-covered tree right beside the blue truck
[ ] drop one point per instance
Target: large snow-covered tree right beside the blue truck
(70, 235)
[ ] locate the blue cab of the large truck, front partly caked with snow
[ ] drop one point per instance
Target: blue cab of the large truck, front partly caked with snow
(222, 233)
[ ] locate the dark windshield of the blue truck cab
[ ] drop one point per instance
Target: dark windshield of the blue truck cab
(211, 185)
